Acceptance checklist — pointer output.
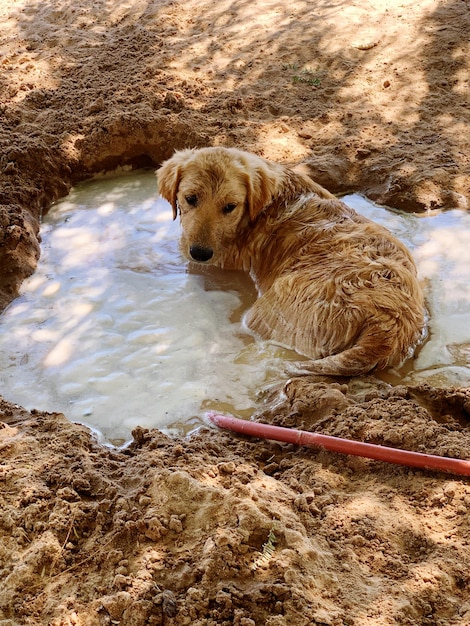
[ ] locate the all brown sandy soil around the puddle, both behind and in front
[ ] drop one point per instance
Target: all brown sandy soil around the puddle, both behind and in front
(217, 529)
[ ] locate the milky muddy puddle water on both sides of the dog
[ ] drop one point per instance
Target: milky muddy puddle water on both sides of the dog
(116, 330)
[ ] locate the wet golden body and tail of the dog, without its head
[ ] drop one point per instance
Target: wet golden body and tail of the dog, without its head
(341, 288)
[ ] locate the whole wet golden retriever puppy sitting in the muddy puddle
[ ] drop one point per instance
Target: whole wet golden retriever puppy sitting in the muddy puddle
(332, 285)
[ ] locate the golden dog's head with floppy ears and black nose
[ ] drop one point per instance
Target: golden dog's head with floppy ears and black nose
(218, 193)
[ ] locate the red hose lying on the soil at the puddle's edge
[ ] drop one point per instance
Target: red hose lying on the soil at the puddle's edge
(344, 446)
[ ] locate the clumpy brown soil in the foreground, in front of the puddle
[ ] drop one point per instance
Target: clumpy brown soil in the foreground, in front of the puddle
(217, 529)
